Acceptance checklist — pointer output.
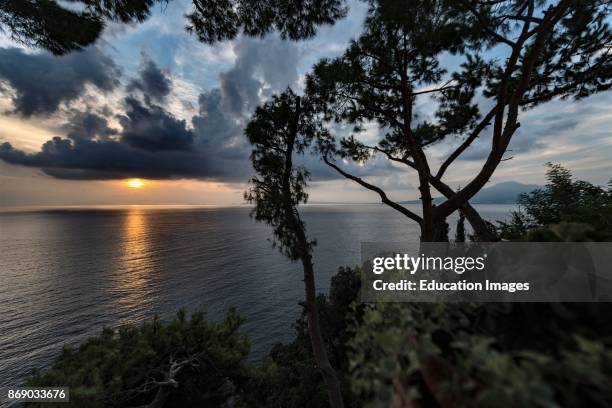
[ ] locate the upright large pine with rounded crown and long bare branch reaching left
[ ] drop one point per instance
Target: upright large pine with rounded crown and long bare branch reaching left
(379, 78)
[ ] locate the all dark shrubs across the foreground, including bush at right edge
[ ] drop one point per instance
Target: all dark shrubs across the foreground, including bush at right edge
(398, 354)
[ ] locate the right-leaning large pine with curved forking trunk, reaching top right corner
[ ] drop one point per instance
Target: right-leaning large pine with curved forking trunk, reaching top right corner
(556, 49)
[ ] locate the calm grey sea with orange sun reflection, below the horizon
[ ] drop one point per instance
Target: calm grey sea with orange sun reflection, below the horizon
(67, 273)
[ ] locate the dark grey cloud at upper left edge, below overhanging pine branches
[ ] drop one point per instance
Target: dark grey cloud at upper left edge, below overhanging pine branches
(41, 82)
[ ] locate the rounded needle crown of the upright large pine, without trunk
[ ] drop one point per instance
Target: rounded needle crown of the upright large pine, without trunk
(397, 52)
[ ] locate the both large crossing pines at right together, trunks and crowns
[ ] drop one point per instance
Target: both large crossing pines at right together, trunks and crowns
(555, 50)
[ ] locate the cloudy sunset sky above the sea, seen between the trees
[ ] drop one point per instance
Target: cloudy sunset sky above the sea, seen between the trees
(148, 101)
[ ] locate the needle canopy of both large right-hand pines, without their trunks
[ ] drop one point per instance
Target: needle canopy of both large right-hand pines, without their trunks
(397, 60)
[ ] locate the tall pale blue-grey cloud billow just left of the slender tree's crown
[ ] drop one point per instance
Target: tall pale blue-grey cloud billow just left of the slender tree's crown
(261, 67)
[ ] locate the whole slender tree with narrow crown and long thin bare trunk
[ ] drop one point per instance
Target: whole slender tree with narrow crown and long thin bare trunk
(280, 129)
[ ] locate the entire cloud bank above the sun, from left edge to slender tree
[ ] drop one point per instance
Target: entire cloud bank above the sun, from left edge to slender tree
(152, 142)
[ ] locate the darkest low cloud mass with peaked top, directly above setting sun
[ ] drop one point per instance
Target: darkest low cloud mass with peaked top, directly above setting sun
(152, 143)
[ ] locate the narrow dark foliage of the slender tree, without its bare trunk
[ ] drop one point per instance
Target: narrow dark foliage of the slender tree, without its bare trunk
(279, 130)
